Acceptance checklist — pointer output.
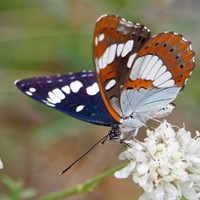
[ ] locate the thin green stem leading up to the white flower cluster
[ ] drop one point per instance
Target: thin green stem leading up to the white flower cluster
(81, 188)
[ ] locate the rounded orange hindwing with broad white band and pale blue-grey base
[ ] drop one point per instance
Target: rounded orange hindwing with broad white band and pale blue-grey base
(158, 74)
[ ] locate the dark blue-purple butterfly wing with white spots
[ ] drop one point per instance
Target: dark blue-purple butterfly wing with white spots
(75, 94)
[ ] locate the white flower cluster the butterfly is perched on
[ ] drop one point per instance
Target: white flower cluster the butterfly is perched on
(166, 165)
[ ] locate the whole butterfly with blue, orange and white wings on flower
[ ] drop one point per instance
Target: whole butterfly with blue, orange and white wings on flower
(137, 77)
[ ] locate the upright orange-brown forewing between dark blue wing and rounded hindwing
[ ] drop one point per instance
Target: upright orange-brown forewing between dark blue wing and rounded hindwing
(115, 46)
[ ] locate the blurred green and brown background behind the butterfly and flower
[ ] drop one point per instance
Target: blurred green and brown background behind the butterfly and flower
(55, 36)
